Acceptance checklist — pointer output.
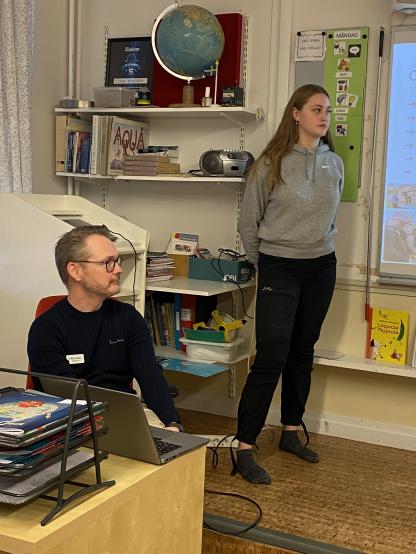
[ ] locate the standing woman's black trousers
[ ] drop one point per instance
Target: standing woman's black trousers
(293, 297)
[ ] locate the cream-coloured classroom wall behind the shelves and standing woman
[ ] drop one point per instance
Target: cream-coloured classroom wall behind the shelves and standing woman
(346, 396)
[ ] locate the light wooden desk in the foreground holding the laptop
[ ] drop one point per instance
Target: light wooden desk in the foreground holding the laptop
(150, 509)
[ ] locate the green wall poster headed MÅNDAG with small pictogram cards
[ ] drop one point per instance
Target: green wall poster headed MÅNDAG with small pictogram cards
(345, 69)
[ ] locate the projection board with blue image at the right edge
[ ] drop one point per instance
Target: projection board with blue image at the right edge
(397, 257)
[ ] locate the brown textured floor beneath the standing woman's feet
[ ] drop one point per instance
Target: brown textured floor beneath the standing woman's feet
(359, 496)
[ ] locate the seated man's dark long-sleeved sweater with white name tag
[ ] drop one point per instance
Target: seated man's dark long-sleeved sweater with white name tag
(115, 346)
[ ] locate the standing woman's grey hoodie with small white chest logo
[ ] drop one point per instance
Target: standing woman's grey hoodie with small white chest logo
(297, 218)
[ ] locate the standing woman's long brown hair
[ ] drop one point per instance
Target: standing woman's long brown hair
(287, 135)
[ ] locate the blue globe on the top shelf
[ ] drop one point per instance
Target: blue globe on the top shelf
(188, 41)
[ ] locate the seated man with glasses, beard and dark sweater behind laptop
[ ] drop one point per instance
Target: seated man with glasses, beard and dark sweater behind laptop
(88, 335)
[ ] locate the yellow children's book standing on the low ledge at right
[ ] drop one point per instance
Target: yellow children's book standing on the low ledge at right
(388, 336)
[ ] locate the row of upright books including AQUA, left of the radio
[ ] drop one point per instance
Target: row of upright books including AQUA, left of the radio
(100, 146)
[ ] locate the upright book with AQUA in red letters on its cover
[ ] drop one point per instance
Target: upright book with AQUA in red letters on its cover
(127, 137)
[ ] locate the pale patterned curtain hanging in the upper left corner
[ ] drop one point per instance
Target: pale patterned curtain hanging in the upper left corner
(16, 50)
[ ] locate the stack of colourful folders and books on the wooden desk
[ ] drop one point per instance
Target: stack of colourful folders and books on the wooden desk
(32, 434)
